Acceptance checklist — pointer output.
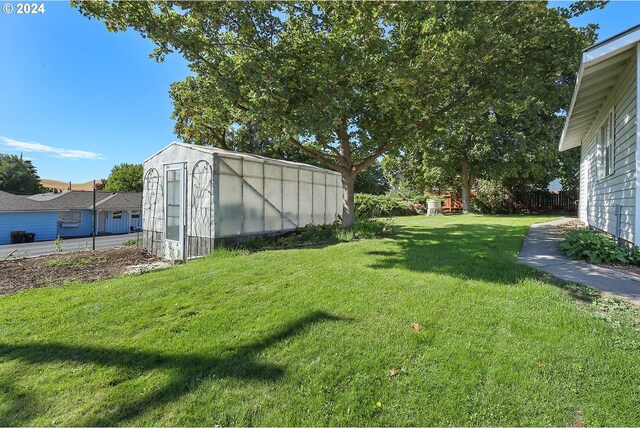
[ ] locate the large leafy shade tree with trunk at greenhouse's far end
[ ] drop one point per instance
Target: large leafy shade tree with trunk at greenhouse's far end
(343, 82)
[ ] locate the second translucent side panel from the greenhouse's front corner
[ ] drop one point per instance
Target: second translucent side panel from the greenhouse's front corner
(253, 198)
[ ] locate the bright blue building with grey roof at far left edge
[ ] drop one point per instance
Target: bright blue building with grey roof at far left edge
(19, 213)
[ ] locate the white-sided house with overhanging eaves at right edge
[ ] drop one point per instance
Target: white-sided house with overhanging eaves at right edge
(602, 122)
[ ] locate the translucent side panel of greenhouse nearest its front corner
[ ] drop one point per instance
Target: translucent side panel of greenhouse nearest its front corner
(229, 212)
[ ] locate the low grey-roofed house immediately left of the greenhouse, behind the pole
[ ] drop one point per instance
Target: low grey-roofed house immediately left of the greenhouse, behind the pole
(116, 212)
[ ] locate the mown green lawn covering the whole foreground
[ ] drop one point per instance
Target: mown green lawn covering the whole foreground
(310, 336)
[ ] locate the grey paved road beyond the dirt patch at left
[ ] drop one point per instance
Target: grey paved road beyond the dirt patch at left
(68, 245)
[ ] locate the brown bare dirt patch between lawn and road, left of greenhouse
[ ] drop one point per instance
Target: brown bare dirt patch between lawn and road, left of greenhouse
(83, 266)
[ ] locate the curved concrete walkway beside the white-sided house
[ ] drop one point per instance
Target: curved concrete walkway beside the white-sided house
(540, 250)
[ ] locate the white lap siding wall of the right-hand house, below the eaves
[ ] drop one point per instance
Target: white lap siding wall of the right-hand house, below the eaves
(599, 196)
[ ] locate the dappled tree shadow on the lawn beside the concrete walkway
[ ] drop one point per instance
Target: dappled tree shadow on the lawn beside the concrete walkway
(466, 251)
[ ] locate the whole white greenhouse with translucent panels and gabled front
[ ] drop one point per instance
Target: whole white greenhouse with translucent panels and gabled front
(195, 197)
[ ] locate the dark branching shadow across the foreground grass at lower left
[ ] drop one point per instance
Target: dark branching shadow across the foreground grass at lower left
(191, 370)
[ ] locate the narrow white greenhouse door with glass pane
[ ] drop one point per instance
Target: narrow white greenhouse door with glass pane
(173, 247)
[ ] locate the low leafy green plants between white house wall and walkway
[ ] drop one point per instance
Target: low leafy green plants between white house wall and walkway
(596, 247)
